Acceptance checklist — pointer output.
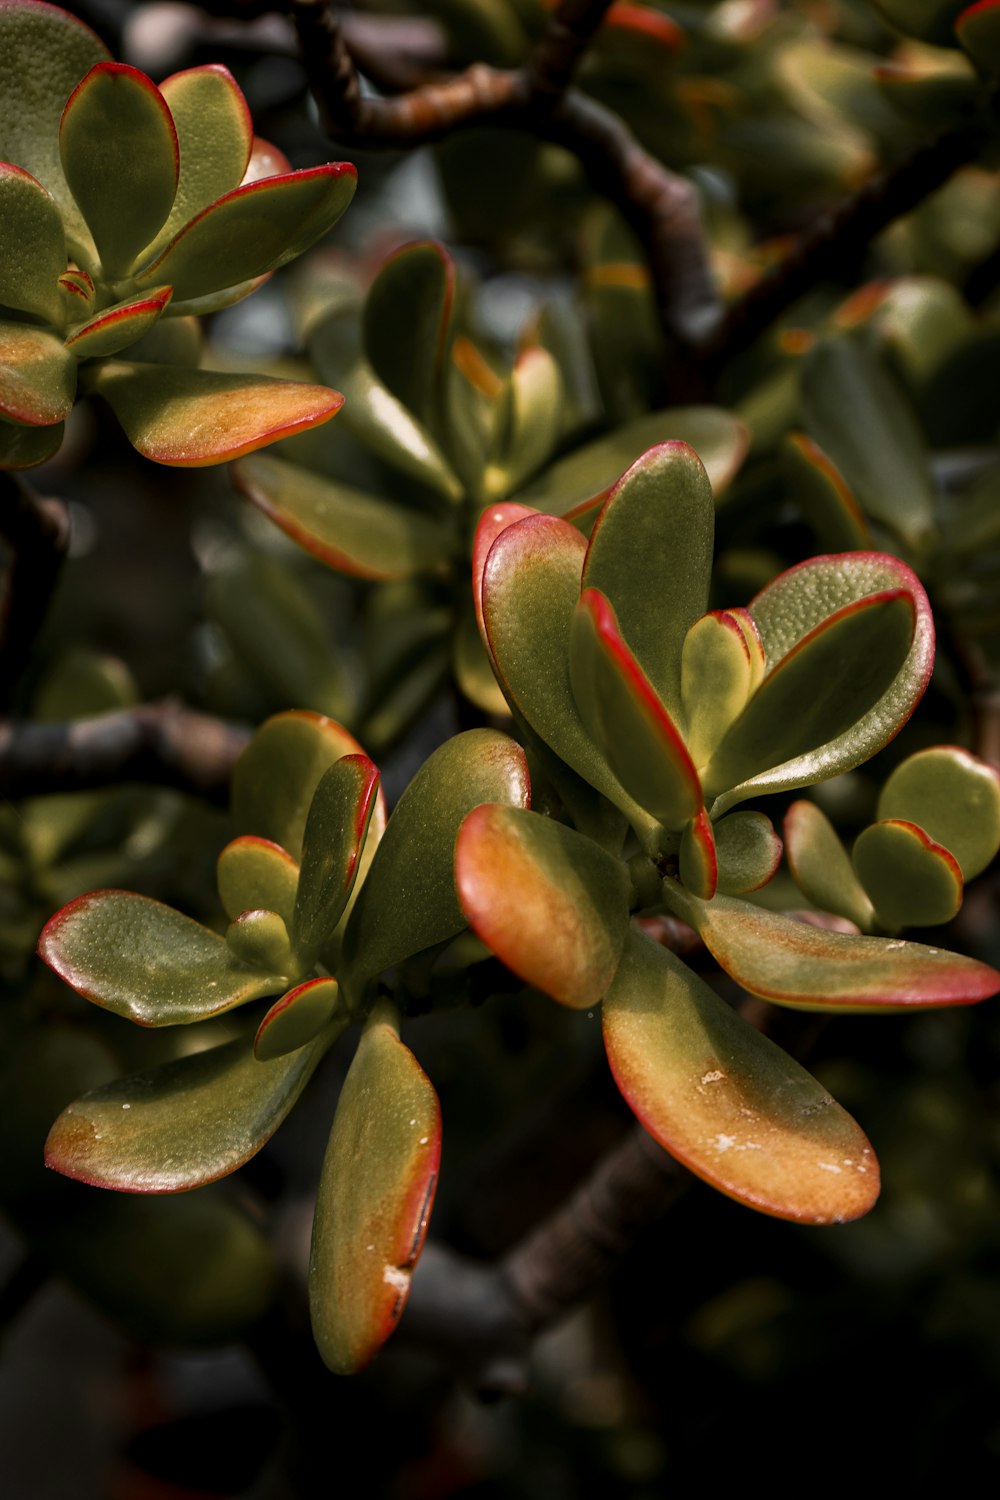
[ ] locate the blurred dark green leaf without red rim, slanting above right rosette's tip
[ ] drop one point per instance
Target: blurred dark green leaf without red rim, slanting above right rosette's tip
(860, 418)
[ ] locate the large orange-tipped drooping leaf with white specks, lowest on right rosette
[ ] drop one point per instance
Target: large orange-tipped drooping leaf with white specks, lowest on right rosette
(720, 1097)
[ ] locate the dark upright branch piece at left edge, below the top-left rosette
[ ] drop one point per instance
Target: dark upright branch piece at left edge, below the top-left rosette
(38, 536)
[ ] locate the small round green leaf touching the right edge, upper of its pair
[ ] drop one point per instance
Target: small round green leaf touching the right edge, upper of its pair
(954, 797)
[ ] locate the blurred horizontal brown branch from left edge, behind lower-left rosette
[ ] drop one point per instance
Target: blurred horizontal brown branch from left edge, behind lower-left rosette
(163, 743)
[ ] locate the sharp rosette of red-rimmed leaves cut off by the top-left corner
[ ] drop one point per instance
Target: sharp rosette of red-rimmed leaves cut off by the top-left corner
(127, 209)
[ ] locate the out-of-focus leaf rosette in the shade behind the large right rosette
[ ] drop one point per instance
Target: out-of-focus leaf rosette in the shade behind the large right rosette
(446, 428)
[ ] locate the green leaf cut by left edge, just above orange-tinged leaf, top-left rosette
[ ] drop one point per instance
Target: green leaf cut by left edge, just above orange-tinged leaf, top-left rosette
(32, 245)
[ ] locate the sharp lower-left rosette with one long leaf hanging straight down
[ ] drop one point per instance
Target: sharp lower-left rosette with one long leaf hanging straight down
(323, 895)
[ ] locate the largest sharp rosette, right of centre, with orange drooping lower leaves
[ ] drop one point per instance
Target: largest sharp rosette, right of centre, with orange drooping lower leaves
(653, 719)
